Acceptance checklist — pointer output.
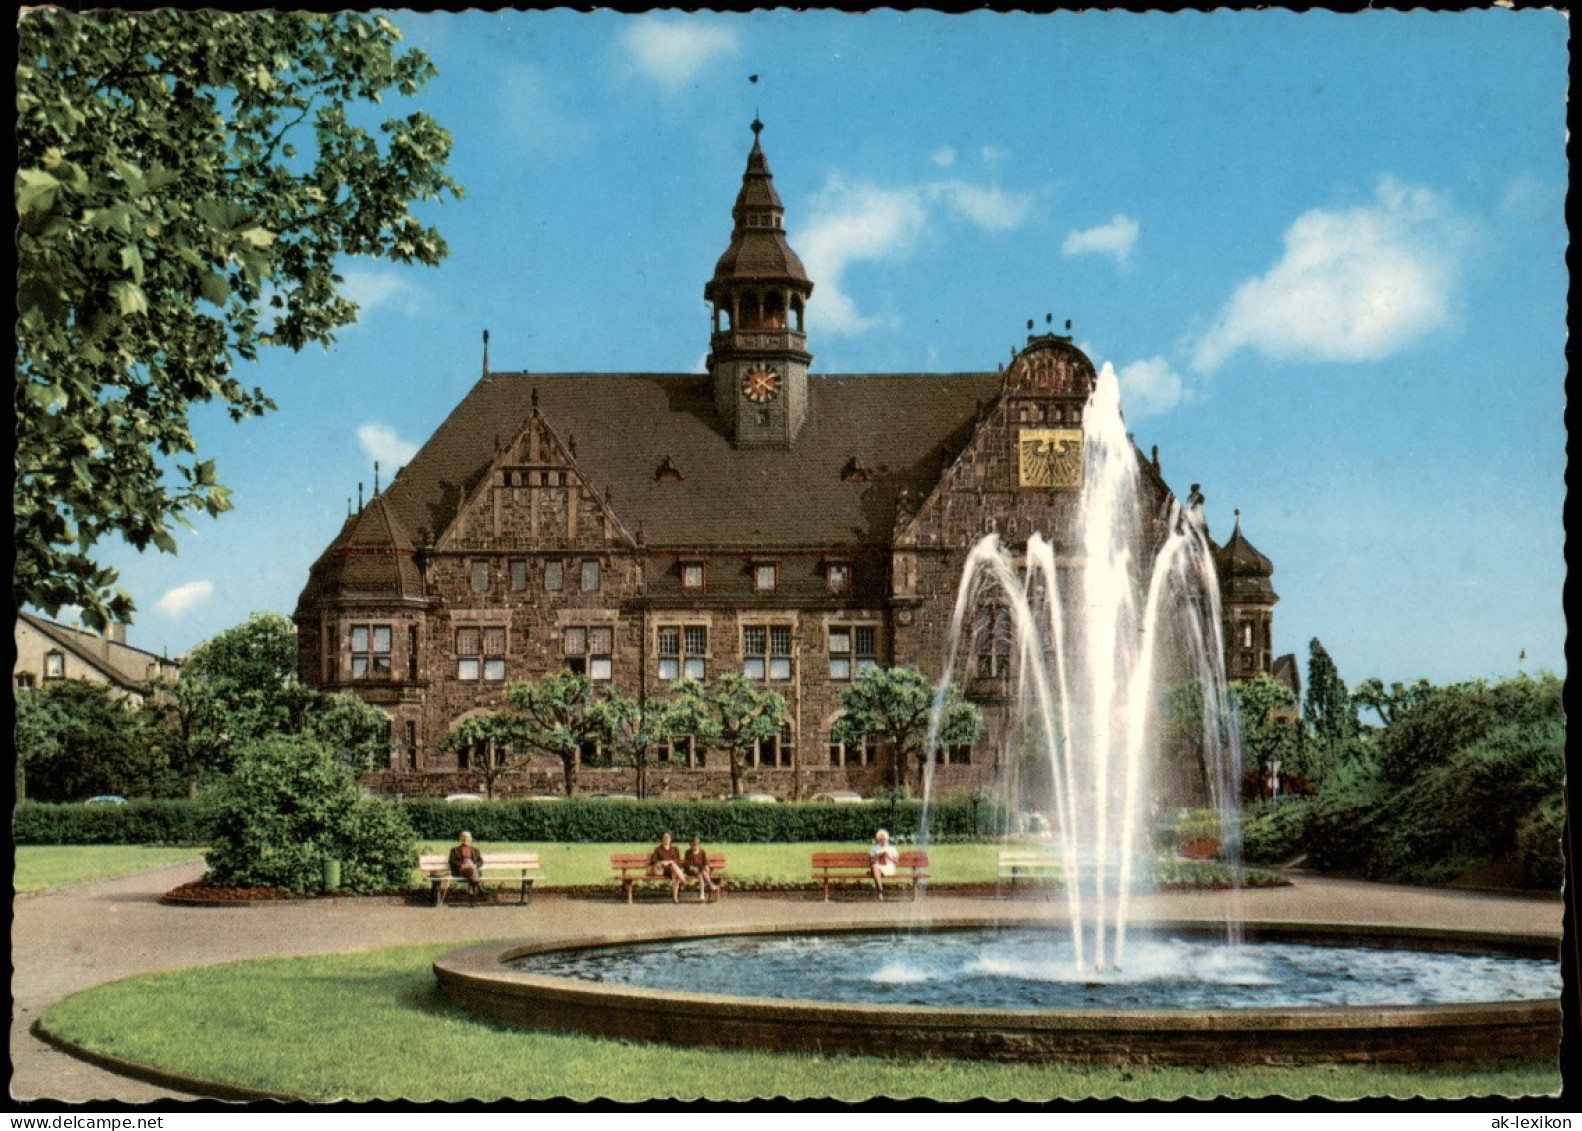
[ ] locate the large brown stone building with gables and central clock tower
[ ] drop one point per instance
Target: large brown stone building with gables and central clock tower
(759, 518)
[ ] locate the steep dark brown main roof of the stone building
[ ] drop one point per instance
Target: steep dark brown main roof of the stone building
(904, 428)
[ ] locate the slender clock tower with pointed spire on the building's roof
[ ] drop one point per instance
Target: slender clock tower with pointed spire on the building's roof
(759, 349)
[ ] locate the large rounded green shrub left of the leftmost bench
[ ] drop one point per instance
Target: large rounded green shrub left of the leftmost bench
(289, 808)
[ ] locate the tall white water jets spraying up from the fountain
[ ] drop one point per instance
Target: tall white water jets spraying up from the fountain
(1096, 634)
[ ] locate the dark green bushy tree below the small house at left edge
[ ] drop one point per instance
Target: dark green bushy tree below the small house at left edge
(78, 739)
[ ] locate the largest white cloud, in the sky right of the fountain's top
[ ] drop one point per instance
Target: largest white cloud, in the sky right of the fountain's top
(1353, 286)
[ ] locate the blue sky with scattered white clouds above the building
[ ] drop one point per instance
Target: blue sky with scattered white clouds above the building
(1323, 252)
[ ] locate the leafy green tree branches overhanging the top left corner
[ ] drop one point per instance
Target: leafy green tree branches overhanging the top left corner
(187, 184)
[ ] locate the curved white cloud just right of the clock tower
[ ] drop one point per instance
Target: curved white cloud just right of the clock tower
(863, 222)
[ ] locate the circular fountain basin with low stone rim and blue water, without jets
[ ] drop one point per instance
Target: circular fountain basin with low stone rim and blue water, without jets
(1102, 1018)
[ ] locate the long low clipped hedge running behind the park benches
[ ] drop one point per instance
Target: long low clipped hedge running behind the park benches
(577, 820)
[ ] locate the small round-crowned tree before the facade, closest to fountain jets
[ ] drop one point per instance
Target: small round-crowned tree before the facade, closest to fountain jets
(895, 706)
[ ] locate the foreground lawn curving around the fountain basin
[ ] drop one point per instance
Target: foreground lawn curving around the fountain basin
(374, 1026)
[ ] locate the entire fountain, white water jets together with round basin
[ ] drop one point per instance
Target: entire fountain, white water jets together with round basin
(1099, 621)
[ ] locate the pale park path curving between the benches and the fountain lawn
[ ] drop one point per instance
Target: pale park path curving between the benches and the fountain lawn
(85, 936)
